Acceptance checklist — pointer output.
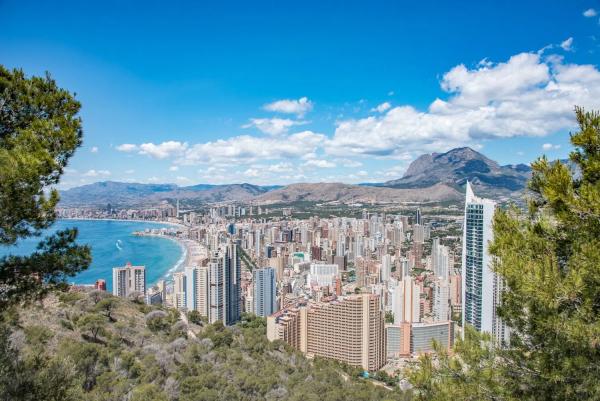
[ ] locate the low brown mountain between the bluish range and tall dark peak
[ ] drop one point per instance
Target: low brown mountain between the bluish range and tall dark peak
(327, 192)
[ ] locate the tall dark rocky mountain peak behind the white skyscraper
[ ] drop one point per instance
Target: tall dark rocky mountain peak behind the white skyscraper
(456, 166)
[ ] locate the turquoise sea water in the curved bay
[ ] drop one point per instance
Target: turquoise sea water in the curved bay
(113, 245)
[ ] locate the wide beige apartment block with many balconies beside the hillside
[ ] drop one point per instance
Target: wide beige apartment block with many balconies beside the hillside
(350, 330)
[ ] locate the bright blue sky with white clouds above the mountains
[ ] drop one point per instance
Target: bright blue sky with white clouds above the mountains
(276, 92)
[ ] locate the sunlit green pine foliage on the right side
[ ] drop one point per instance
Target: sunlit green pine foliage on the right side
(549, 259)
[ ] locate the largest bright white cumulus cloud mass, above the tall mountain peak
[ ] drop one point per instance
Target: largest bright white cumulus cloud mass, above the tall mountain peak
(528, 95)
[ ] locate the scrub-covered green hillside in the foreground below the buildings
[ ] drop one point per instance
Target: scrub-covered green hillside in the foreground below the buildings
(71, 348)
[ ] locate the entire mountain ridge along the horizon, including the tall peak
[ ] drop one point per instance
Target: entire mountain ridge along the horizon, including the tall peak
(430, 177)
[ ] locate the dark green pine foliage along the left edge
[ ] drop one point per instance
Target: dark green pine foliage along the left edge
(39, 132)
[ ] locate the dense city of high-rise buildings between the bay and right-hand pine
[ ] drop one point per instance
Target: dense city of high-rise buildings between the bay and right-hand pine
(374, 290)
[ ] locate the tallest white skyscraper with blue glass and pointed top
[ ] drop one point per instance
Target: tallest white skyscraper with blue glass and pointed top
(480, 286)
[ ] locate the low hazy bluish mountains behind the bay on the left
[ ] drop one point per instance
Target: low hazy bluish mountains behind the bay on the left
(133, 194)
